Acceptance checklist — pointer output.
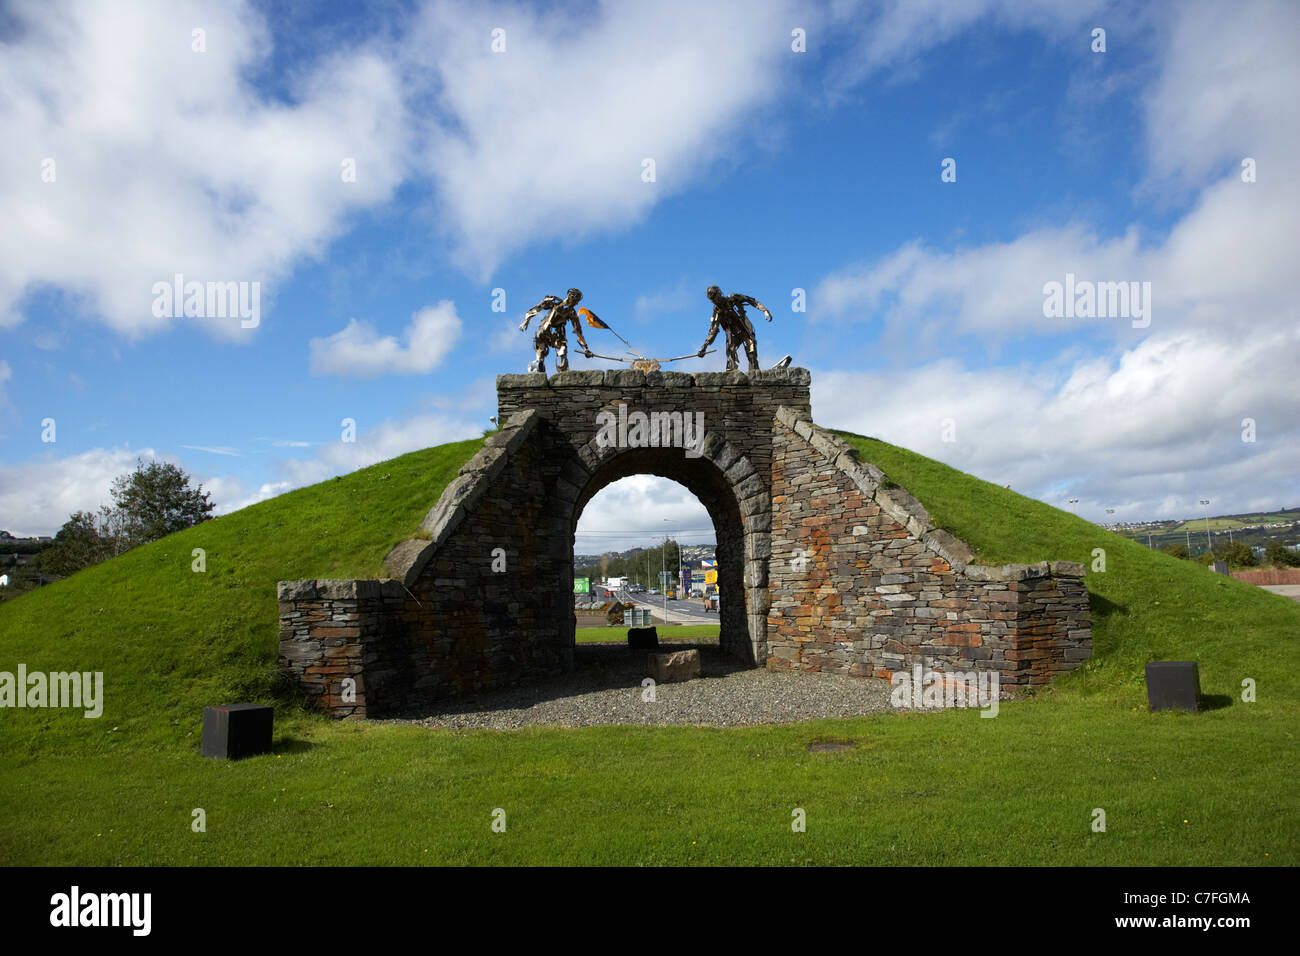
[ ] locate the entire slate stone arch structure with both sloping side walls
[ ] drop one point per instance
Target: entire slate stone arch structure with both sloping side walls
(483, 598)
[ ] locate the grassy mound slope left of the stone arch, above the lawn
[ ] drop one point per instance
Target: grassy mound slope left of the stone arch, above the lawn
(170, 639)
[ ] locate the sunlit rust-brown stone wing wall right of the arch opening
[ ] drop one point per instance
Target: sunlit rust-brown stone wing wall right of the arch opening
(863, 583)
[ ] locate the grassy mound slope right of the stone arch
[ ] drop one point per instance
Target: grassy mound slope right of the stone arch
(1146, 605)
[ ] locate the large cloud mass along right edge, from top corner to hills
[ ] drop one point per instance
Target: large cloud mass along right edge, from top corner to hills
(1152, 421)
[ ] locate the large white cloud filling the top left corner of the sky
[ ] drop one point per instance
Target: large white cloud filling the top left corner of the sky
(168, 161)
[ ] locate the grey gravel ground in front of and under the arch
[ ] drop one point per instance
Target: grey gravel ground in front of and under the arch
(605, 687)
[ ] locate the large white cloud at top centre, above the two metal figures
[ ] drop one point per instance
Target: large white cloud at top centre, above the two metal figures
(547, 141)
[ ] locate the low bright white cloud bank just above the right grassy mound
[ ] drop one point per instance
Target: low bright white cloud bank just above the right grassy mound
(1146, 431)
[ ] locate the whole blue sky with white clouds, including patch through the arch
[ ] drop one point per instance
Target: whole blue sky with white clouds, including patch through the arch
(774, 171)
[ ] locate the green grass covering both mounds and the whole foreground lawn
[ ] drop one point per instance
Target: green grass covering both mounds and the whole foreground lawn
(934, 789)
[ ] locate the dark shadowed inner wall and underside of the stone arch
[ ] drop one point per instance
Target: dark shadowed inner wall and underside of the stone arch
(712, 488)
